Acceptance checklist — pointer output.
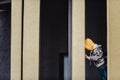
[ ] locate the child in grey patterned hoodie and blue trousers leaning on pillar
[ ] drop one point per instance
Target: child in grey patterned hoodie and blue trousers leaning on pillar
(96, 56)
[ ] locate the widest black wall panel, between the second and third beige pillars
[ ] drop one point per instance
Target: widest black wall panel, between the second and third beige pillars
(53, 37)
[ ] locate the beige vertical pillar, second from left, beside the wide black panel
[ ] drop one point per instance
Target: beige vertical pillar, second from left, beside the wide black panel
(31, 40)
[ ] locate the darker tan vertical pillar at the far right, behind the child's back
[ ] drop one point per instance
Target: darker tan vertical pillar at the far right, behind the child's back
(114, 39)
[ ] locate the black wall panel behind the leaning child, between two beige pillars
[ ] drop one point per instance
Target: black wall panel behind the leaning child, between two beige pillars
(96, 29)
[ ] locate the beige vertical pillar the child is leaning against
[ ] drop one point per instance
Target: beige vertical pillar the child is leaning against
(78, 36)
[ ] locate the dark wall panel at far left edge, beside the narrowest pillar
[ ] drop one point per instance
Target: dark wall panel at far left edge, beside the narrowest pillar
(5, 38)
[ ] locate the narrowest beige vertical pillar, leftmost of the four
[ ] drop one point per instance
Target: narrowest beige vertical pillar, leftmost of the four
(16, 30)
